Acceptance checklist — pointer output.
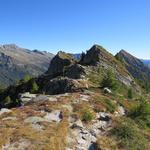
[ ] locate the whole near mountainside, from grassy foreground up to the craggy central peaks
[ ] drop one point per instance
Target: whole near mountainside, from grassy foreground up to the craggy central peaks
(94, 103)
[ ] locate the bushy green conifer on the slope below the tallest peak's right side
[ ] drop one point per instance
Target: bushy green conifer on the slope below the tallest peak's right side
(109, 80)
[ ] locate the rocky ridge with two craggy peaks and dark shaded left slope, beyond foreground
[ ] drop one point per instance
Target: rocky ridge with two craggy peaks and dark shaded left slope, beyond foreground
(66, 74)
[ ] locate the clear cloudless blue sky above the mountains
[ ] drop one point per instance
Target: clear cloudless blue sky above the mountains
(75, 25)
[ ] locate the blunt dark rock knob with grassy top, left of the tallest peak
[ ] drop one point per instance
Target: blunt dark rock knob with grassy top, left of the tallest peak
(58, 64)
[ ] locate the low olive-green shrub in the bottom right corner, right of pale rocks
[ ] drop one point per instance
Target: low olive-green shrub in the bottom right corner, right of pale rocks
(129, 135)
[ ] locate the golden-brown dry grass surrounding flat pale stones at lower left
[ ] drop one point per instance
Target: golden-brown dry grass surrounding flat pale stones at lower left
(53, 137)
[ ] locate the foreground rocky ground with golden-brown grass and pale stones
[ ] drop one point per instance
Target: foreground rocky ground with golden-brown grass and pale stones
(45, 122)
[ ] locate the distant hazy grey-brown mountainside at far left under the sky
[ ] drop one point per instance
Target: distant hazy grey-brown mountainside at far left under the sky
(16, 62)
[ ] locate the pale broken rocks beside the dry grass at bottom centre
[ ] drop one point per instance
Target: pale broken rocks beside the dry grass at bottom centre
(85, 137)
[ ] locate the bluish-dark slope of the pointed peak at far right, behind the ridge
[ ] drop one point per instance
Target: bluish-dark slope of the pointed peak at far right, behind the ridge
(134, 65)
